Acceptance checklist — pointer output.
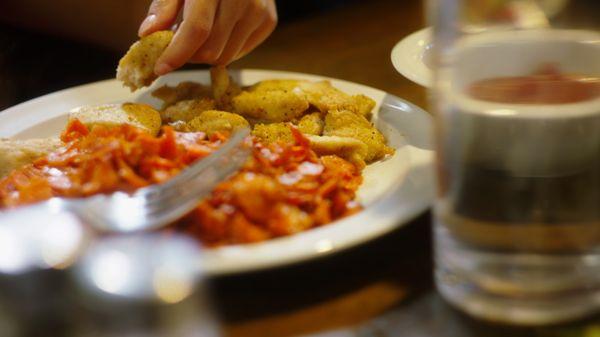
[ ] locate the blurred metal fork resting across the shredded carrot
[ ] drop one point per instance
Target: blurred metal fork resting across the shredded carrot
(148, 208)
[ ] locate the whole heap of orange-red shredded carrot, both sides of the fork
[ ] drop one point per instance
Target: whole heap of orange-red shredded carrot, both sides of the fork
(283, 188)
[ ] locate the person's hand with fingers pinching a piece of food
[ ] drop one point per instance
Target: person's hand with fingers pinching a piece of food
(212, 31)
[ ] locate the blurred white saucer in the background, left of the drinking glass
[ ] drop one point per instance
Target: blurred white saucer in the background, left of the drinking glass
(410, 57)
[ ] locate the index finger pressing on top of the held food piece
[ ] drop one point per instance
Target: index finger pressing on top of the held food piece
(194, 30)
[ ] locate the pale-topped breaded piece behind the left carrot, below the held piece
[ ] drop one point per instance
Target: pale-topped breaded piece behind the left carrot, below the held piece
(142, 116)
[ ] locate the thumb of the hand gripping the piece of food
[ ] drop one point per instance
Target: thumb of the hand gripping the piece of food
(161, 15)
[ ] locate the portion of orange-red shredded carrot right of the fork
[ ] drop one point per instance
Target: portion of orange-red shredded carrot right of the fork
(284, 189)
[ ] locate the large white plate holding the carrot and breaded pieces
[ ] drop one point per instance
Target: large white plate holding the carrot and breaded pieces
(394, 191)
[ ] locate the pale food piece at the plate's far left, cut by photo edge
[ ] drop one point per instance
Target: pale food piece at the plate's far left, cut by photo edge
(15, 154)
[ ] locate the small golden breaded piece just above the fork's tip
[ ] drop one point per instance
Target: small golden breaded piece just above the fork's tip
(212, 121)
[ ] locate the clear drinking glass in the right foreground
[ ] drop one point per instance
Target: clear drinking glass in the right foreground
(517, 106)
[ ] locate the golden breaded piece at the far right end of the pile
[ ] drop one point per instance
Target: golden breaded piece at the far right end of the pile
(344, 123)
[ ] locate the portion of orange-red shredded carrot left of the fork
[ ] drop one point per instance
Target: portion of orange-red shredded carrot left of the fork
(104, 160)
